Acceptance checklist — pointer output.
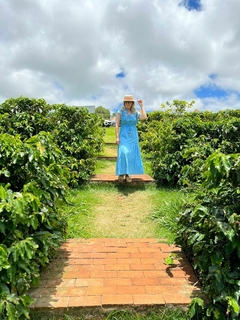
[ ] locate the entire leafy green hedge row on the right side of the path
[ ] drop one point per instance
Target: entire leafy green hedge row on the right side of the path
(200, 151)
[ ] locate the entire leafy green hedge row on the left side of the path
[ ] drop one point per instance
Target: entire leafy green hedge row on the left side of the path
(43, 151)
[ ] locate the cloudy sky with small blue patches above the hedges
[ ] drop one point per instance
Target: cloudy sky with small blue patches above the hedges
(92, 52)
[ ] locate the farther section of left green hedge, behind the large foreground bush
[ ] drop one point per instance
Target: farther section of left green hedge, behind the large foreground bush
(78, 133)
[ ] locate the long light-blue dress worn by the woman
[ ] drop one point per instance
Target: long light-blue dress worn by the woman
(129, 158)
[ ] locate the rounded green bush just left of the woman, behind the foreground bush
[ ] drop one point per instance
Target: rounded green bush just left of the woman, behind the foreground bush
(79, 135)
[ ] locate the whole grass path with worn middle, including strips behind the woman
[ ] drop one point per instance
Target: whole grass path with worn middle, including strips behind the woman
(121, 211)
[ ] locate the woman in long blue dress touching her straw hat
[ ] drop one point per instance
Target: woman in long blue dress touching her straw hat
(129, 158)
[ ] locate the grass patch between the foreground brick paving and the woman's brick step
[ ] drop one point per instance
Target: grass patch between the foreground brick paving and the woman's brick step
(161, 205)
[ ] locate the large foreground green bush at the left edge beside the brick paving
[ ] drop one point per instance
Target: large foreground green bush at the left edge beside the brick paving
(32, 182)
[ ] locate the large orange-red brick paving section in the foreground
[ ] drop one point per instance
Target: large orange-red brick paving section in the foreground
(115, 272)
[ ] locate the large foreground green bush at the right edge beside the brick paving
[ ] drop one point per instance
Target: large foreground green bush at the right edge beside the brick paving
(209, 234)
